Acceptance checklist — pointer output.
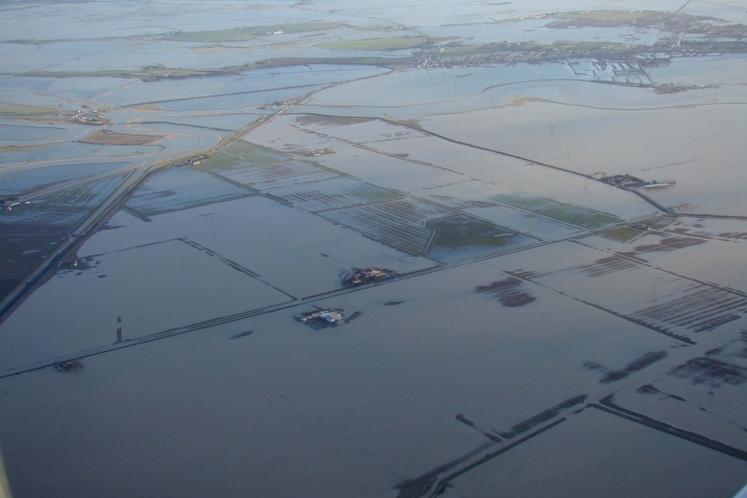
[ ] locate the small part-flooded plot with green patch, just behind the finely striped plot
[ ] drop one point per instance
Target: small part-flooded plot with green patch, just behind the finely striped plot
(333, 193)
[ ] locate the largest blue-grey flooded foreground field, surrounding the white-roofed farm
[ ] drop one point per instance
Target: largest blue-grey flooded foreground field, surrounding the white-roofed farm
(496, 365)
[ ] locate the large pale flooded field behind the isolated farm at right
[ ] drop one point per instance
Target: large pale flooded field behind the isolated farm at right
(623, 144)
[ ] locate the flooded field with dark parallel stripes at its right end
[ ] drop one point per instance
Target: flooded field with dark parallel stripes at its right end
(661, 301)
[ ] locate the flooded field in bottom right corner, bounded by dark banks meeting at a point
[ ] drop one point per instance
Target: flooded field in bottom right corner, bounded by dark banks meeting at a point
(576, 461)
